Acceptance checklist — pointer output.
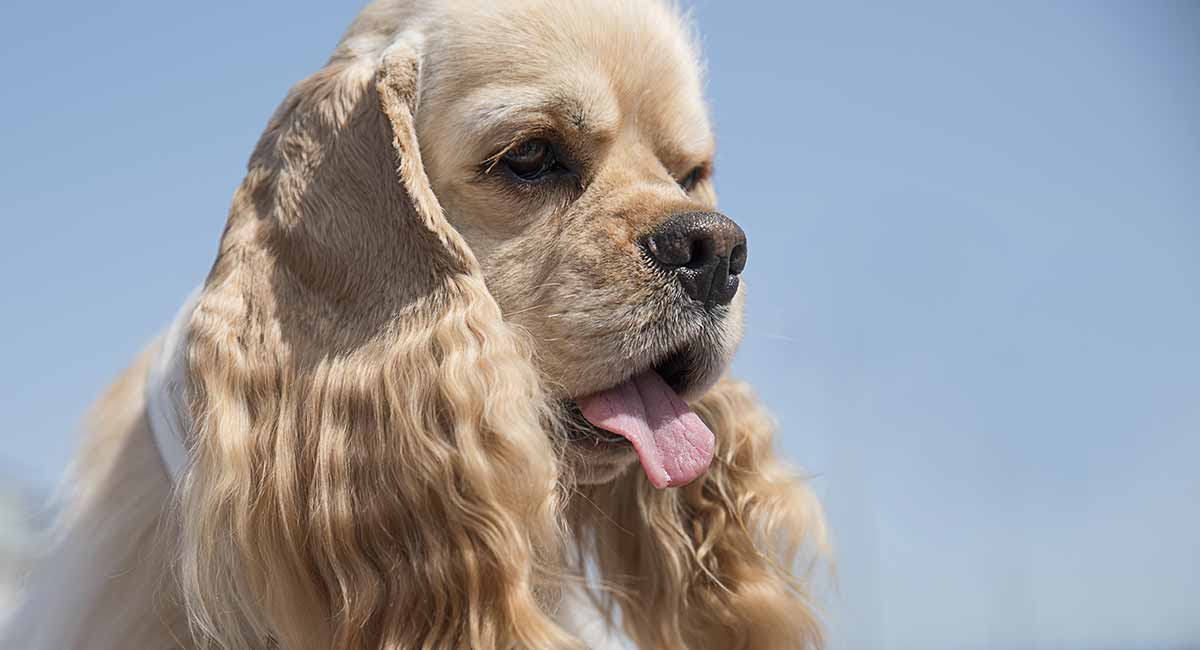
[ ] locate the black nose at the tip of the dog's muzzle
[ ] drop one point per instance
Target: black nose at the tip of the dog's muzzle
(706, 251)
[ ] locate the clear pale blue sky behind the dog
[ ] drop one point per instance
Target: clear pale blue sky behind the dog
(975, 281)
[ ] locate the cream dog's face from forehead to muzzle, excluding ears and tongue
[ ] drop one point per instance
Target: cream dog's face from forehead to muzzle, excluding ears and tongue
(572, 148)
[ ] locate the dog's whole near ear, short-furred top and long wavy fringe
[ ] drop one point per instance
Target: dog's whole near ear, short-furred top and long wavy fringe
(369, 467)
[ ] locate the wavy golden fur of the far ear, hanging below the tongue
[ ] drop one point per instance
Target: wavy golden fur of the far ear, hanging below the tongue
(713, 564)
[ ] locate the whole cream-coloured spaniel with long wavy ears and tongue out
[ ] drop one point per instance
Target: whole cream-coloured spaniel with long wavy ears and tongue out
(458, 376)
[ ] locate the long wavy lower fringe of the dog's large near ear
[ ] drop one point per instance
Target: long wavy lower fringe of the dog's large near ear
(400, 497)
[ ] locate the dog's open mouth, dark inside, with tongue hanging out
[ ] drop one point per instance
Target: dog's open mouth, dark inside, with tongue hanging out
(646, 411)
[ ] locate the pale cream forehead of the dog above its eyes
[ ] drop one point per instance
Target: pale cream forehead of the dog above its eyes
(599, 64)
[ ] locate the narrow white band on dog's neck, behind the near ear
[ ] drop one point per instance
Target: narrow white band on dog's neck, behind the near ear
(166, 393)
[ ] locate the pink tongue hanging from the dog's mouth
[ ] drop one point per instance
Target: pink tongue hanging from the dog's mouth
(673, 443)
